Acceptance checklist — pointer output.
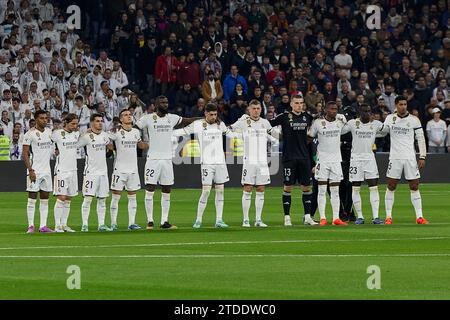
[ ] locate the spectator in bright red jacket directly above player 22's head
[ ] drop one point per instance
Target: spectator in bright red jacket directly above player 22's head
(166, 69)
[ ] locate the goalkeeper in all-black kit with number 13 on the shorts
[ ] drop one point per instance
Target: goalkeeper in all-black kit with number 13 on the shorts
(296, 158)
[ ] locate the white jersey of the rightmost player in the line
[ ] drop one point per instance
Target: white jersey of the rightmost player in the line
(402, 132)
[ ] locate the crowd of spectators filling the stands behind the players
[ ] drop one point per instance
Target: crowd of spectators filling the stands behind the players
(228, 52)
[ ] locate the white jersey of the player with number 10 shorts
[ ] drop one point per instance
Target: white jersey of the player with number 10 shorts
(67, 144)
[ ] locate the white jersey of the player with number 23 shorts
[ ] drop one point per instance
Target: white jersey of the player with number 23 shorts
(363, 138)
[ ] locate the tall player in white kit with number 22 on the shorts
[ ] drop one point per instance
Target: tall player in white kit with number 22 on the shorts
(159, 166)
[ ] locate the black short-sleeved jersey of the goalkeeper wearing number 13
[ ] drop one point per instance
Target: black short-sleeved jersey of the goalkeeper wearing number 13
(295, 138)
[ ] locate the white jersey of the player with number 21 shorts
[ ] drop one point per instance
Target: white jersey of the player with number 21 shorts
(95, 148)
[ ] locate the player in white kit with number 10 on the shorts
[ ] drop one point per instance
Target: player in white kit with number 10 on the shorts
(66, 172)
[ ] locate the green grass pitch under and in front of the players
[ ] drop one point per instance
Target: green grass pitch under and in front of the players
(275, 263)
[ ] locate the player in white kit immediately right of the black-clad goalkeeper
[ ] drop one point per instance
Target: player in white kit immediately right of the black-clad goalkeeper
(328, 131)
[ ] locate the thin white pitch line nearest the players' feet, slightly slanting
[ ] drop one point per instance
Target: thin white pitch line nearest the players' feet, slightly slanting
(207, 243)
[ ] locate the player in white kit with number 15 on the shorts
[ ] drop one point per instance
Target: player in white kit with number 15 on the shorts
(209, 132)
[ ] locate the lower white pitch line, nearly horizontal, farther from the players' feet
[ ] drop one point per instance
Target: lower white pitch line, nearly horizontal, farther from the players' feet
(406, 255)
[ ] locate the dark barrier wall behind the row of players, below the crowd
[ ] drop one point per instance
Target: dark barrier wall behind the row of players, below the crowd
(13, 173)
